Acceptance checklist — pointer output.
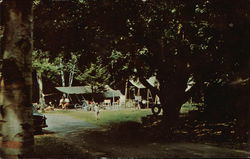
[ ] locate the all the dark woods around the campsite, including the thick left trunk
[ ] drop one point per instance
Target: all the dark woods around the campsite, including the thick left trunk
(100, 42)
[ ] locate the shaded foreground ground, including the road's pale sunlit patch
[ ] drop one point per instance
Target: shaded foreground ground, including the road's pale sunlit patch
(73, 138)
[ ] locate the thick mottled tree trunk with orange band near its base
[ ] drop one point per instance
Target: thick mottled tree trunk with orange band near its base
(16, 124)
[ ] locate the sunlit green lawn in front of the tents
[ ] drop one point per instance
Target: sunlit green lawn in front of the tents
(107, 117)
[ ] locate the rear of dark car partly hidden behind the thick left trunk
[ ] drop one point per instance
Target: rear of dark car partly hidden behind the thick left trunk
(39, 121)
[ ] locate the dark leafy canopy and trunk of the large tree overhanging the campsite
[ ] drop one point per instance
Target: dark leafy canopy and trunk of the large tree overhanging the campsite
(170, 39)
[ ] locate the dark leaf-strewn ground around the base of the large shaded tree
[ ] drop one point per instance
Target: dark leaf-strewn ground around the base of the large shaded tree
(187, 129)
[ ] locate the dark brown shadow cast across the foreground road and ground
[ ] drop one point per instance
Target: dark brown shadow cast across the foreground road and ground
(133, 139)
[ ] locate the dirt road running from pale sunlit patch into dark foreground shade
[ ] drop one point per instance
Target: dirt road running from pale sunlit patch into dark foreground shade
(101, 143)
